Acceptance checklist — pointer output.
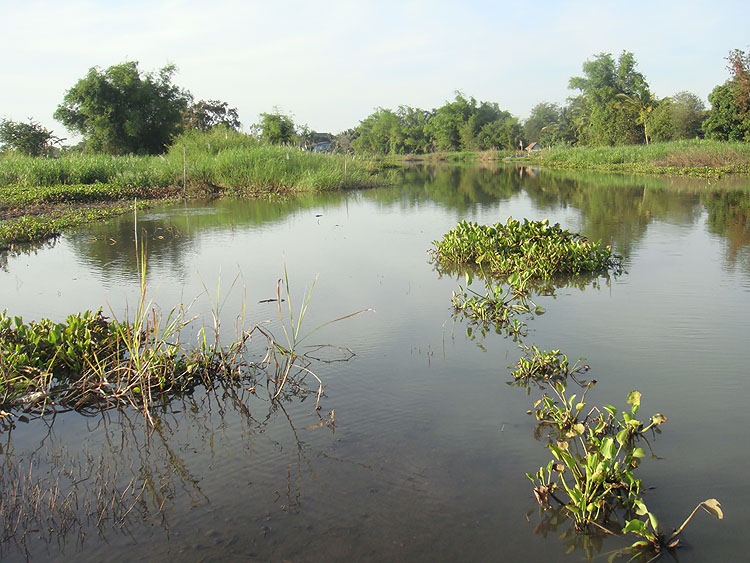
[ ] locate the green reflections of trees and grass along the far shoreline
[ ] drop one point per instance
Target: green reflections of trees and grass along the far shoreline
(614, 208)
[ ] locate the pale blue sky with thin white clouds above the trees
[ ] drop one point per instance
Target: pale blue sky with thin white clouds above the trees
(329, 64)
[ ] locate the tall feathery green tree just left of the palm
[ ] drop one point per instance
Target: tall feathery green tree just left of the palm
(614, 97)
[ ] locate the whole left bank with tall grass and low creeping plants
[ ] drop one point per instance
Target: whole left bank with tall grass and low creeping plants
(40, 197)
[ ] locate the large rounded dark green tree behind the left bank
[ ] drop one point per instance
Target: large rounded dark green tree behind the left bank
(120, 110)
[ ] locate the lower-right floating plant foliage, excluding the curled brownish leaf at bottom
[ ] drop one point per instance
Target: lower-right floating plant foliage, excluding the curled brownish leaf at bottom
(595, 450)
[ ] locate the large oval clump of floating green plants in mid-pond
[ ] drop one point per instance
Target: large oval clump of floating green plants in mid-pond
(533, 249)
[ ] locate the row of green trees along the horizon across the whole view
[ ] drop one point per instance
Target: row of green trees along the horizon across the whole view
(122, 110)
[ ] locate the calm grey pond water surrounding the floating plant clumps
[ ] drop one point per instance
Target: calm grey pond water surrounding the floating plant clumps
(420, 448)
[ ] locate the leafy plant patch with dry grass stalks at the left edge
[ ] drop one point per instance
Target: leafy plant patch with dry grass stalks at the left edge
(90, 362)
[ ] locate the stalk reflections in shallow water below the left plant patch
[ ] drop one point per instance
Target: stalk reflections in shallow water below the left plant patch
(125, 472)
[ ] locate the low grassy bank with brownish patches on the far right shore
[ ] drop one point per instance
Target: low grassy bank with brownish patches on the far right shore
(700, 158)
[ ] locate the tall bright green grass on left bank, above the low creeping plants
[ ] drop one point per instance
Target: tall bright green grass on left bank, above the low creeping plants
(219, 158)
